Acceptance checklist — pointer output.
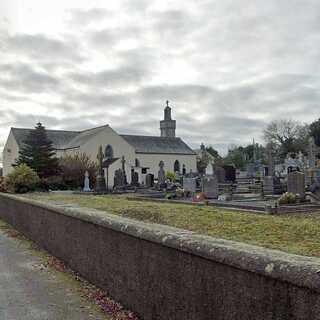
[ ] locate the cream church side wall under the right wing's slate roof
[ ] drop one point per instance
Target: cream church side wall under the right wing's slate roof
(152, 161)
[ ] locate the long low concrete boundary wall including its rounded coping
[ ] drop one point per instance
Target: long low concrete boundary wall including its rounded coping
(166, 273)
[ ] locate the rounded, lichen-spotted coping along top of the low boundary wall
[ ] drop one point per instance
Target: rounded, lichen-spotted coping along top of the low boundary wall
(299, 270)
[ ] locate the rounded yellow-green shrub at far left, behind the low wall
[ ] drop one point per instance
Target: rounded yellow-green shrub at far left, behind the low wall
(22, 179)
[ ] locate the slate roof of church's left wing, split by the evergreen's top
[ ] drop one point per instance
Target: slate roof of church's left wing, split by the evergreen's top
(59, 138)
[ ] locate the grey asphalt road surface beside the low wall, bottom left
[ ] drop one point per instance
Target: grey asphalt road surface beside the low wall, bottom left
(30, 291)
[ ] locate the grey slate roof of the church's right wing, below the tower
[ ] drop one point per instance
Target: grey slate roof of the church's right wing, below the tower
(160, 145)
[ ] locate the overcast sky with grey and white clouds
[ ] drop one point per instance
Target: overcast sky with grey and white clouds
(227, 67)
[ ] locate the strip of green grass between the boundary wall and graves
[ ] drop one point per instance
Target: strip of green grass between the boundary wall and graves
(299, 234)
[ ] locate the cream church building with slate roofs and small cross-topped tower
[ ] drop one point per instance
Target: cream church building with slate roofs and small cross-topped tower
(137, 153)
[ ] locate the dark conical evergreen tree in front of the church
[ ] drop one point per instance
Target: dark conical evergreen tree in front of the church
(38, 153)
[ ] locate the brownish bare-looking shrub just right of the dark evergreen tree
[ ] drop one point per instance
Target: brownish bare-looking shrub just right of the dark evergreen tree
(73, 168)
